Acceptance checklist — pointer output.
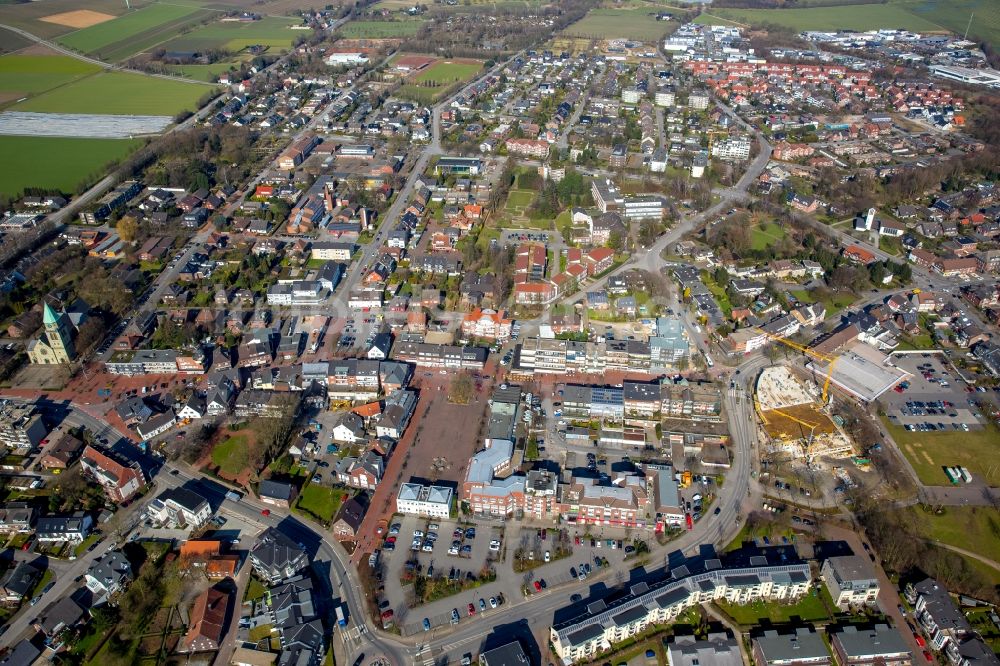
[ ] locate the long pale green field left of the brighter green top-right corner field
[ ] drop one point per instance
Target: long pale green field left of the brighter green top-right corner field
(856, 17)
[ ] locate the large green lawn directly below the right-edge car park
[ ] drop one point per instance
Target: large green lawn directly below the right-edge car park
(929, 452)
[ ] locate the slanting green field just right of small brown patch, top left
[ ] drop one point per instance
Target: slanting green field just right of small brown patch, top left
(131, 33)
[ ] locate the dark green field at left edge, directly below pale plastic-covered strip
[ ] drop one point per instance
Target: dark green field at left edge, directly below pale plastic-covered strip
(56, 162)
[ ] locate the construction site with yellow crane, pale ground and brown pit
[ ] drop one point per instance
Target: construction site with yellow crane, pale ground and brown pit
(791, 411)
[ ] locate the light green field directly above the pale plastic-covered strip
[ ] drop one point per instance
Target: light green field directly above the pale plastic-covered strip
(118, 93)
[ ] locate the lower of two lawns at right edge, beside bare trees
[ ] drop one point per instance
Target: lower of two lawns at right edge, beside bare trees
(973, 528)
